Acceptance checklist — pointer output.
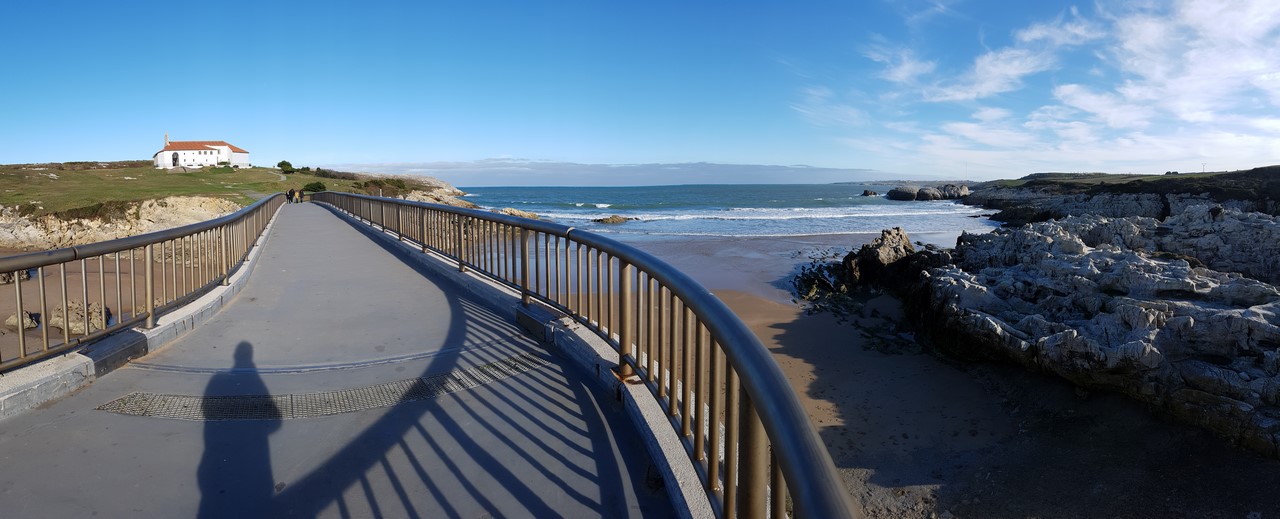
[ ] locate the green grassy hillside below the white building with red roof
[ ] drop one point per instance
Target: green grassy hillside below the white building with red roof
(100, 189)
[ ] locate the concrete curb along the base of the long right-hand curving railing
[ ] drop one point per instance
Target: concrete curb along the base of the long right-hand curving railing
(592, 356)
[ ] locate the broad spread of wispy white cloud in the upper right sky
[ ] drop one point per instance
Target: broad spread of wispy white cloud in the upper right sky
(1137, 88)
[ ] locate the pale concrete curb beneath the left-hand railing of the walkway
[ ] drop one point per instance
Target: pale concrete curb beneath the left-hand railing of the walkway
(61, 376)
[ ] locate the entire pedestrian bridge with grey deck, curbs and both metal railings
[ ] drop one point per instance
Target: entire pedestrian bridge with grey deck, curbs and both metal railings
(363, 357)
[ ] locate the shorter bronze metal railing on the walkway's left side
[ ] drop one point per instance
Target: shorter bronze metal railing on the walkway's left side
(90, 292)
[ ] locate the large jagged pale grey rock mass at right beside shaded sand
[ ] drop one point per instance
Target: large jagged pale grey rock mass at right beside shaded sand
(1084, 299)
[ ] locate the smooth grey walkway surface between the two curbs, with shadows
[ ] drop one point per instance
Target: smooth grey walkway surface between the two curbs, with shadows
(341, 383)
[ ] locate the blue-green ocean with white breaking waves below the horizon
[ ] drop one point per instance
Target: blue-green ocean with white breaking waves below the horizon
(734, 211)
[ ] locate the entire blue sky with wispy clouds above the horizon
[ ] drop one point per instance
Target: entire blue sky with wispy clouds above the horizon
(652, 93)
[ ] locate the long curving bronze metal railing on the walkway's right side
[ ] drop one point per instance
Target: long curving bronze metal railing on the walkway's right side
(742, 424)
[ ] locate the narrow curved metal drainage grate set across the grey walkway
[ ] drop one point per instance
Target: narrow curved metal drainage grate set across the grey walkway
(323, 404)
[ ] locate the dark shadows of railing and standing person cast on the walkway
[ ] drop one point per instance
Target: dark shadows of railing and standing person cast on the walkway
(520, 413)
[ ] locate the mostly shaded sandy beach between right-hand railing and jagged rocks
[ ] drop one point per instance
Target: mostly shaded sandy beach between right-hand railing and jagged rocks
(917, 436)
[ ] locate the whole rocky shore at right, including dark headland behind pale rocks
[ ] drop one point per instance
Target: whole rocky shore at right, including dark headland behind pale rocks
(1163, 292)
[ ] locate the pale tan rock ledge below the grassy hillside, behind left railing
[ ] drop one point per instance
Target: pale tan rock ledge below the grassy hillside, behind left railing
(51, 233)
